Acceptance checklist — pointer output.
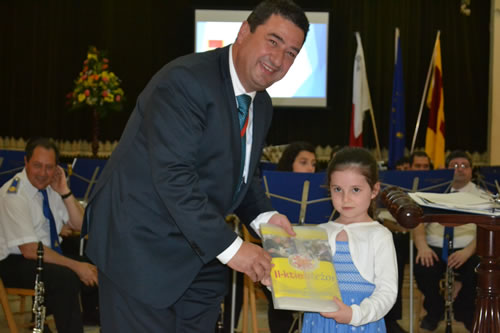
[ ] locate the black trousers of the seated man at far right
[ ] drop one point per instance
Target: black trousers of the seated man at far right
(428, 283)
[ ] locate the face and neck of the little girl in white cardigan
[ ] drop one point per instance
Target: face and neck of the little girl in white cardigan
(352, 195)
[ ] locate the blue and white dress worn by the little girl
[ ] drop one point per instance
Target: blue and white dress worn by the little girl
(353, 288)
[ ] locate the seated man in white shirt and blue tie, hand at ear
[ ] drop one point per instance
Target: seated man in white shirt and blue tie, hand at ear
(34, 206)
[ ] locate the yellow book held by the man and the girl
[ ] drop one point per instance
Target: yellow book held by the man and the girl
(303, 276)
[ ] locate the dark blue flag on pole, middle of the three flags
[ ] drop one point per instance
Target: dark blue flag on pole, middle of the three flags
(397, 130)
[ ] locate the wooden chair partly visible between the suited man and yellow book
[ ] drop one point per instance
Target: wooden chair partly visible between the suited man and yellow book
(250, 294)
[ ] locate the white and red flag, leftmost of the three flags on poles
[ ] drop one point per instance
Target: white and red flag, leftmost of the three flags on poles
(361, 100)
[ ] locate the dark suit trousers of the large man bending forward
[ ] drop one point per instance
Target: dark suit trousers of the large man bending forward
(196, 311)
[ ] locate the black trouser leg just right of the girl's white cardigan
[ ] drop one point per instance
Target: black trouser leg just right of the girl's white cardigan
(402, 246)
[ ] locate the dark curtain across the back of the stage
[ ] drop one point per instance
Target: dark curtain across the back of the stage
(44, 42)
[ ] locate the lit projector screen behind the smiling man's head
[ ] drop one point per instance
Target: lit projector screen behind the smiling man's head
(305, 83)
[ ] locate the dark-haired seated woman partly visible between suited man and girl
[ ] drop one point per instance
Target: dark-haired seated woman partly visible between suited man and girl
(297, 157)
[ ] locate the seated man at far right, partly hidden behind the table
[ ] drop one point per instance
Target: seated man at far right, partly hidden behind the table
(430, 263)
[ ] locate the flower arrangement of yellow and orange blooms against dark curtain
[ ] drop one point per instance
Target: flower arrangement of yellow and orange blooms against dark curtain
(97, 89)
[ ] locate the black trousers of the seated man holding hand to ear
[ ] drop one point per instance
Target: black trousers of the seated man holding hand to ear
(62, 289)
